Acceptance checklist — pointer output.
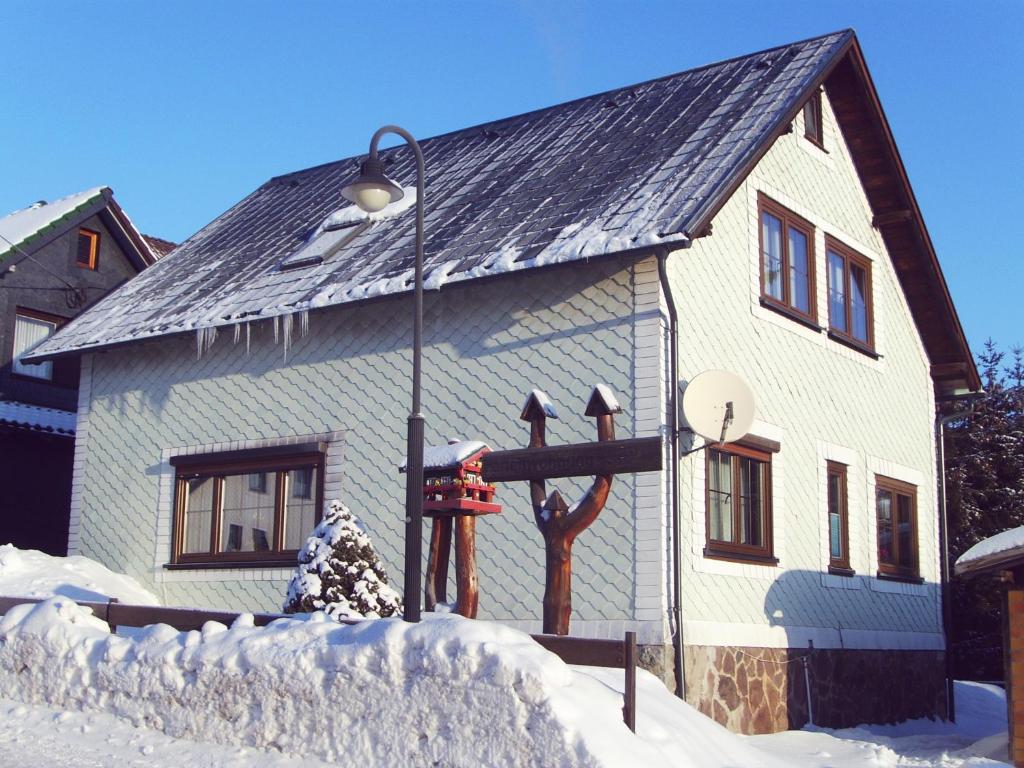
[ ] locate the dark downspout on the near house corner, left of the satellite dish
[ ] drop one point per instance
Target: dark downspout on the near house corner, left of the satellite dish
(677, 579)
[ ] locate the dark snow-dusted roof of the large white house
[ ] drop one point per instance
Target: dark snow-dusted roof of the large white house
(635, 168)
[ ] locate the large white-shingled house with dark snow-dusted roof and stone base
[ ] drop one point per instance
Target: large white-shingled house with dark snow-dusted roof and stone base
(755, 210)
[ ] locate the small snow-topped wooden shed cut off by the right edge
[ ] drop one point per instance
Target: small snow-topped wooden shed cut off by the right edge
(1004, 554)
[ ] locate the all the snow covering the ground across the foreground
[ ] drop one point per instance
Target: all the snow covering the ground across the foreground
(448, 692)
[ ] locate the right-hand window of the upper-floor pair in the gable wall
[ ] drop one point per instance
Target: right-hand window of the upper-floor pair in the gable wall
(850, 314)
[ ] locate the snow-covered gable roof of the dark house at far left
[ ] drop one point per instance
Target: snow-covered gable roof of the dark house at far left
(27, 231)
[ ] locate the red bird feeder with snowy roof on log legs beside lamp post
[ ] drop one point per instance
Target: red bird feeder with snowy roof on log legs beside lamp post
(454, 491)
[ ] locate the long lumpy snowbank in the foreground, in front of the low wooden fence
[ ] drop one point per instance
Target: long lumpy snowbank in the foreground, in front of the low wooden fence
(446, 692)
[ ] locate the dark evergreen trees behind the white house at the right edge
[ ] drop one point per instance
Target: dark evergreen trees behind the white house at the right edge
(986, 496)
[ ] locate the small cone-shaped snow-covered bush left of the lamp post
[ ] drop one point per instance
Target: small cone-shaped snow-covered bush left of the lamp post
(339, 572)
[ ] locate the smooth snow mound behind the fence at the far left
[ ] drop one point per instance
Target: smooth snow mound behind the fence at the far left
(33, 574)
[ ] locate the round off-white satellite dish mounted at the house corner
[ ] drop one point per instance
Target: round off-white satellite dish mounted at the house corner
(718, 406)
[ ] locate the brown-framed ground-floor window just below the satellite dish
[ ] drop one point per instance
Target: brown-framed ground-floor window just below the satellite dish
(739, 504)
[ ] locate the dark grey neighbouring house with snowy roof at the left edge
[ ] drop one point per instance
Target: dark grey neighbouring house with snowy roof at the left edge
(57, 260)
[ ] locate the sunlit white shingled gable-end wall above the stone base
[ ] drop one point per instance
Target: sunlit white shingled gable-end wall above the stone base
(821, 401)
